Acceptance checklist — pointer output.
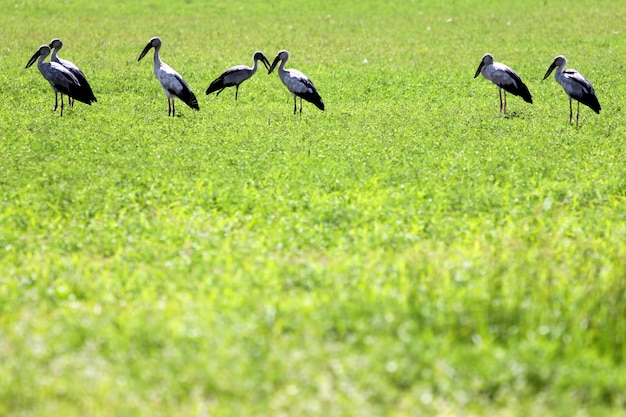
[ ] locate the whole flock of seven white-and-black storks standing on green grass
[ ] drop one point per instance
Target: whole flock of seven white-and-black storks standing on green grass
(67, 79)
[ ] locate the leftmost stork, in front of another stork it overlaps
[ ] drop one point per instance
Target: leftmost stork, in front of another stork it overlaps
(60, 78)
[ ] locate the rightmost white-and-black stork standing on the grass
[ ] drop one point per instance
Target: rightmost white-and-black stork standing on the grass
(575, 85)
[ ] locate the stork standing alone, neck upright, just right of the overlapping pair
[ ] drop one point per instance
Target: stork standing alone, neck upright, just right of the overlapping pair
(172, 83)
